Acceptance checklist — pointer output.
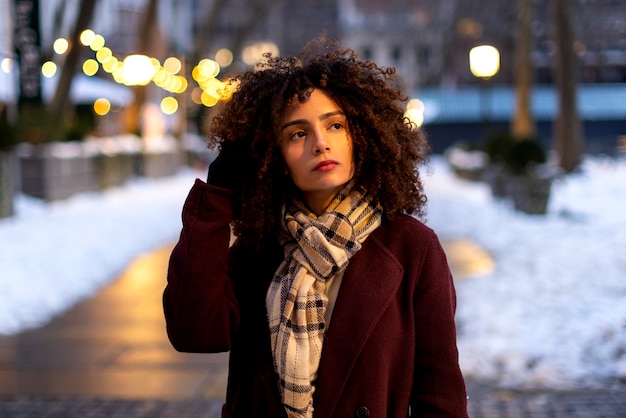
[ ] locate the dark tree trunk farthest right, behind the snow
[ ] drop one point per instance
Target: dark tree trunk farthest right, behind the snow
(568, 136)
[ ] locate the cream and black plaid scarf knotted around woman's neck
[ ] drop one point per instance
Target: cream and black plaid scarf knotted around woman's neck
(316, 248)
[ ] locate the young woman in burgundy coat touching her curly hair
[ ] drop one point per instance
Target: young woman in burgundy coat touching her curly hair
(333, 301)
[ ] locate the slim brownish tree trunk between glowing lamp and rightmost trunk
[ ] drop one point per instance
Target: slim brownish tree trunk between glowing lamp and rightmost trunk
(523, 125)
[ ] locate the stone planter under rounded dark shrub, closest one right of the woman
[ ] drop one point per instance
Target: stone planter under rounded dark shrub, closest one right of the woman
(529, 194)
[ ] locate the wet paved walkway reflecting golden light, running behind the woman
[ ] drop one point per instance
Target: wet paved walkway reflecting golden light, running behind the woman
(109, 357)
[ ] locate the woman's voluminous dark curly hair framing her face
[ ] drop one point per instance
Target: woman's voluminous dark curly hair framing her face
(388, 148)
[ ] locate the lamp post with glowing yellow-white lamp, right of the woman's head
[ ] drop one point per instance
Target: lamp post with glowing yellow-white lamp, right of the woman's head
(484, 64)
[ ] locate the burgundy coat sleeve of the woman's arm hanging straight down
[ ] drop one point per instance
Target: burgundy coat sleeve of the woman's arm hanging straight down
(438, 387)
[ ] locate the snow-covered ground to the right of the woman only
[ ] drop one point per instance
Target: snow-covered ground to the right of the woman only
(553, 313)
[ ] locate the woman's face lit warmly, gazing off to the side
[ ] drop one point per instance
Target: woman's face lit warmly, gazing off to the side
(317, 148)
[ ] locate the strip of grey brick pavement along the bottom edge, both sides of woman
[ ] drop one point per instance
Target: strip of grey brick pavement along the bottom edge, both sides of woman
(484, 403)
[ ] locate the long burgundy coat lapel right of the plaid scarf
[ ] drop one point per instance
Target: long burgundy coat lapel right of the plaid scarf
(368, 286)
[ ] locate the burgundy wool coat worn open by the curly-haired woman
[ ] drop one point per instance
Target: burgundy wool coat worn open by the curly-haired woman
(390, 349)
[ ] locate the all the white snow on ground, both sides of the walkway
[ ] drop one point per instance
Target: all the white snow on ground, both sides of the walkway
(551, 314)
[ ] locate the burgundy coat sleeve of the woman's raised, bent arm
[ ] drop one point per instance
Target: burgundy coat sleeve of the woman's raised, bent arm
(200, 307)
